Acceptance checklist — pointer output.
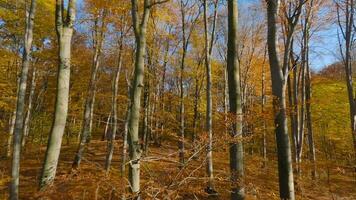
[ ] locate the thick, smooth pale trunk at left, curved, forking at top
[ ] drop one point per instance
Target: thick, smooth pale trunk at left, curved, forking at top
(64, 29)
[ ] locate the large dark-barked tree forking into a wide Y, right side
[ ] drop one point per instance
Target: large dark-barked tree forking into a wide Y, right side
(279, 76)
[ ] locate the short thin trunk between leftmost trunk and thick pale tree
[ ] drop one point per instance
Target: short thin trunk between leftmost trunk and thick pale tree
(26, 128)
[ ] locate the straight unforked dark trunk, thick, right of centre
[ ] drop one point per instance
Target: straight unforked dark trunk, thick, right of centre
(236, 147)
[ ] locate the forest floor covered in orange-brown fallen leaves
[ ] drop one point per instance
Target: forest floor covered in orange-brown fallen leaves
(162, 179)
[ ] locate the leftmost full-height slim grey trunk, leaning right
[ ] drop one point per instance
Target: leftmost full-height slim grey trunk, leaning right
(20, 108)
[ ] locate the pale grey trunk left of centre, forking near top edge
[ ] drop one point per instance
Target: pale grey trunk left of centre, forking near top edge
(140, 27)
